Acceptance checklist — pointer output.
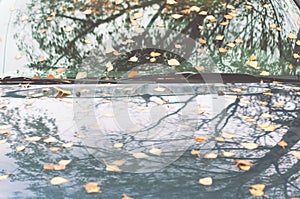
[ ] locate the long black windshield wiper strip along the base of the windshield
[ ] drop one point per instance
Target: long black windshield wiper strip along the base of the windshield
(185, 77)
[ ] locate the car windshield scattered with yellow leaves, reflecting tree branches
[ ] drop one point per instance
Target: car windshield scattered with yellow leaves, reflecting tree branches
(112, 39)
